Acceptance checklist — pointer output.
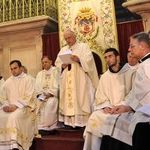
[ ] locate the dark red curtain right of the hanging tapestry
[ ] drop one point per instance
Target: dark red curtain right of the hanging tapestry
(125, 30)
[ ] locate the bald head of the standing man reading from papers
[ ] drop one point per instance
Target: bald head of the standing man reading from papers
(69, 37)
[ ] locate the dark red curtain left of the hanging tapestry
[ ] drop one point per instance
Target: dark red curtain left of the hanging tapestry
(51, 45)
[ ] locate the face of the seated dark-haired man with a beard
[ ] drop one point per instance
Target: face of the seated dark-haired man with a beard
(110, 59)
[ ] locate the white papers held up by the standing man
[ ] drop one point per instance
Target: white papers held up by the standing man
(66, 57)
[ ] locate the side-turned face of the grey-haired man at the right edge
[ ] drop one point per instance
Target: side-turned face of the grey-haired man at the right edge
(135, 48)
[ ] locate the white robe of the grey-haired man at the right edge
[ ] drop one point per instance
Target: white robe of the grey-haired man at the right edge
(123, 127)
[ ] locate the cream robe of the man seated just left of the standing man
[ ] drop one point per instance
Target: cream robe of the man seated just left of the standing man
(47, 81)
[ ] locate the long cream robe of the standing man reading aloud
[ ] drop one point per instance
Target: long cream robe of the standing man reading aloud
(77, 86)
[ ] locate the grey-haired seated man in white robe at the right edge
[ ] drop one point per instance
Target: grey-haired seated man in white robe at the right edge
(129, 115)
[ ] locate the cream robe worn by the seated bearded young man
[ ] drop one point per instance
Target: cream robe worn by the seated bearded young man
(111, 91)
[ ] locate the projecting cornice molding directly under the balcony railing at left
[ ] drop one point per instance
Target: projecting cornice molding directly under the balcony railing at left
(29, 23)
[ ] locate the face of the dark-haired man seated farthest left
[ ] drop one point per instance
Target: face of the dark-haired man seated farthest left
(15, 69)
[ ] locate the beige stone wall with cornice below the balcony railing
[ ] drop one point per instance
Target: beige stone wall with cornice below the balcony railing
(23, 41)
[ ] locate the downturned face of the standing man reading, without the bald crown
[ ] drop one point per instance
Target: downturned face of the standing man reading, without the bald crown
(70, 39)
